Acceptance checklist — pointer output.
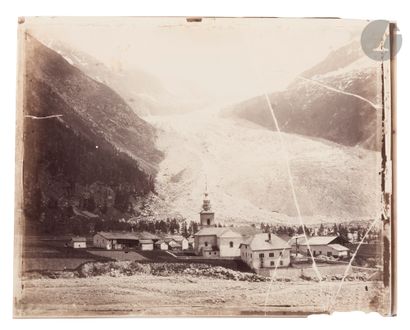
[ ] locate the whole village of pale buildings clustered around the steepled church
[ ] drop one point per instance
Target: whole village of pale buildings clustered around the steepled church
(262, 250)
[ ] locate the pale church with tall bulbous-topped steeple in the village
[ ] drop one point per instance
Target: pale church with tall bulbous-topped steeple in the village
(219, 242)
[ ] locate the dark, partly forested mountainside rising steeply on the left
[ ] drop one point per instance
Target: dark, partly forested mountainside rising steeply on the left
(84, 147)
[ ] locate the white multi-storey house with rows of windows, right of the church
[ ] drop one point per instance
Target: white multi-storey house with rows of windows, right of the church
(265, 251)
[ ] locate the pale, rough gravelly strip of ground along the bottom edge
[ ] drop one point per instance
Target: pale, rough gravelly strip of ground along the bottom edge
(189, 295)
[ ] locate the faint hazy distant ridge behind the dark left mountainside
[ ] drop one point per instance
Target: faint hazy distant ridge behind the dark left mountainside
(142, 91)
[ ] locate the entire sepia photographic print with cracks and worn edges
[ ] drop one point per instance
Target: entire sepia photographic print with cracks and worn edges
(173, 166)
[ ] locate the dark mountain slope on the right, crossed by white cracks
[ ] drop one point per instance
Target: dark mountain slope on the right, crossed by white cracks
(310, 109)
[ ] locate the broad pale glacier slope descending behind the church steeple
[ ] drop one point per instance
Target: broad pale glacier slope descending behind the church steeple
(247, 177)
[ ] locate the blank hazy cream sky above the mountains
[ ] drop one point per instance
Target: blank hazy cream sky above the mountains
(222, 59)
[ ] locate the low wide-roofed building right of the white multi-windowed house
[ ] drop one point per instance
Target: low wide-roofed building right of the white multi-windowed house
(330, 246)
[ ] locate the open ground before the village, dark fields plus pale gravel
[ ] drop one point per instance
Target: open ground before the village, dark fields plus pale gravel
(46, 291)
